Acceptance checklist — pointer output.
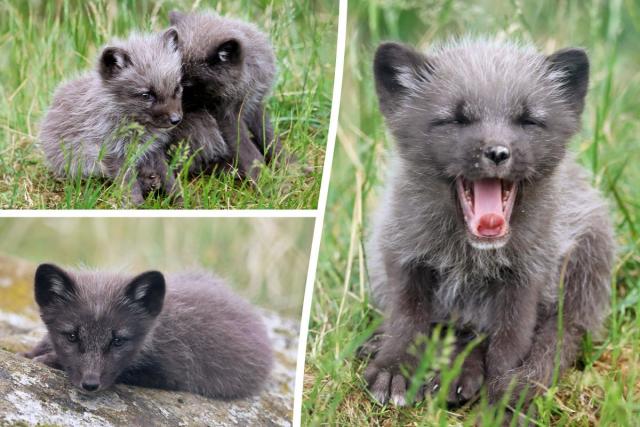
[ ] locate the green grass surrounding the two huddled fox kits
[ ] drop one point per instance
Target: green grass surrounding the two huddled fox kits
(45, 43)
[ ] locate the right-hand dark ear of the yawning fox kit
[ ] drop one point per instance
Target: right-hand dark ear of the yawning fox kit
(572, 66)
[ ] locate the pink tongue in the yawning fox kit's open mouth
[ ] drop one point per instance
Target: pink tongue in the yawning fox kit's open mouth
(487, 207)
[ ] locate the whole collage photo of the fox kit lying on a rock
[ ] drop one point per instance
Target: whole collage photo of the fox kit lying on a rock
(150, 321)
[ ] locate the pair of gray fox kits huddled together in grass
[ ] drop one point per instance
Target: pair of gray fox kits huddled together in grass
(204, 81)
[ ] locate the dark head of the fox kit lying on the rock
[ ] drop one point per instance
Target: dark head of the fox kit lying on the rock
(97, 323)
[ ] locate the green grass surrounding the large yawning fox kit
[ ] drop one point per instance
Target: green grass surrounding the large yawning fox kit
(607, 390)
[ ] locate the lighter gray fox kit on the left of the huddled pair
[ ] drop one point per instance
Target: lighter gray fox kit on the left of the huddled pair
(137, 80)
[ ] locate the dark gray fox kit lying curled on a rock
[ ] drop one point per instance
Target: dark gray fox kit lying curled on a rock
(187, 332)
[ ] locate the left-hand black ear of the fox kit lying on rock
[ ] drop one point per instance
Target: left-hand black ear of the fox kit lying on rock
(52, 285)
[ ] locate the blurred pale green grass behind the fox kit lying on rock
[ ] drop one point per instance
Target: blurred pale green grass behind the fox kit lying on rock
(265, 259)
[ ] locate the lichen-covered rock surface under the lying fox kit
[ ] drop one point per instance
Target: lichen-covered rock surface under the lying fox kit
(33, 394)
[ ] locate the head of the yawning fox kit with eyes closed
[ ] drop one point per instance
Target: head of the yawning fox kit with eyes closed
(487, 119)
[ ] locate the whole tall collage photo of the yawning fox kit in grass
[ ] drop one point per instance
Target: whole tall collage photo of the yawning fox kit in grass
(403, 318)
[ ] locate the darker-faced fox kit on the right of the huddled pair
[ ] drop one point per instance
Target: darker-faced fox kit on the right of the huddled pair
(229, 69)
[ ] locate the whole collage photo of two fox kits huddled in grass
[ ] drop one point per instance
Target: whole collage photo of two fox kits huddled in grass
(165, 105)
